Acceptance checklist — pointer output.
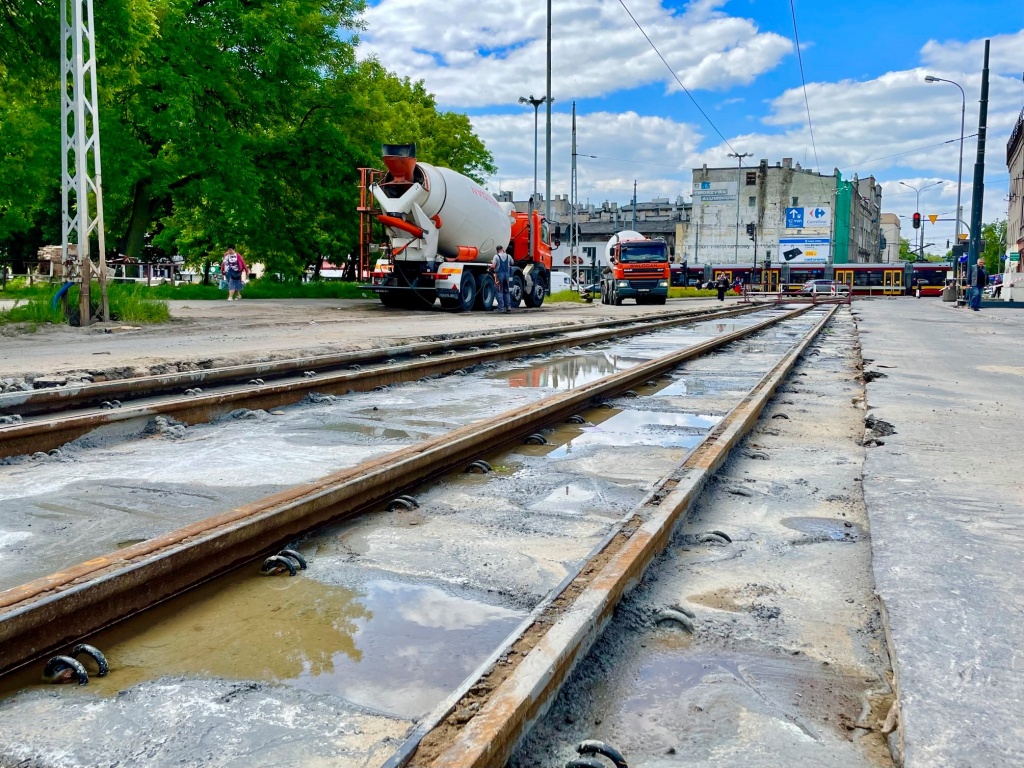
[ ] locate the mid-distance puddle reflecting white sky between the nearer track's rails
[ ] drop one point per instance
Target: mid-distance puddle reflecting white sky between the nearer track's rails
(634, 429)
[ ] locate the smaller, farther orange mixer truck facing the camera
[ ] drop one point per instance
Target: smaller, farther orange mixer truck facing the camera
(638, 269)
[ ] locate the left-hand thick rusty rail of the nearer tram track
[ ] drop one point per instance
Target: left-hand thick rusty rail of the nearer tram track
(49, 613)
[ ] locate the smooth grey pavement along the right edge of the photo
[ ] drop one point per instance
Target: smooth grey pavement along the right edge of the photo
(946, 498)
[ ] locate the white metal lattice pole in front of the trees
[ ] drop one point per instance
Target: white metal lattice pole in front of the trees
(80, 152)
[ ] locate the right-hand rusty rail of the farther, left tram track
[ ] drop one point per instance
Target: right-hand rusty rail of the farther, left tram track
(46, 434)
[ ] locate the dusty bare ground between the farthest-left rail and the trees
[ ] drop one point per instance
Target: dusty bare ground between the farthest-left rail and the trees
(206, 334)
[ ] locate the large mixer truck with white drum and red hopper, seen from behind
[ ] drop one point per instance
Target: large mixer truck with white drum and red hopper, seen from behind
(443, 230)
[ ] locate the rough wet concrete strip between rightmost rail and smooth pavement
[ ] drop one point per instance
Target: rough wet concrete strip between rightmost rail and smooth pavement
(788, 662)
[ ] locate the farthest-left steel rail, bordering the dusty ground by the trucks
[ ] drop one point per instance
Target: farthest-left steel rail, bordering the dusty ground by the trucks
(61, 399)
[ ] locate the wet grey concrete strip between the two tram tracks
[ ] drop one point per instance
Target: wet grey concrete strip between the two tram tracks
(138, 480)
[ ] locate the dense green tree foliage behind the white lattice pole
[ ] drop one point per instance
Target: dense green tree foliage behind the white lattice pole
(222, 122)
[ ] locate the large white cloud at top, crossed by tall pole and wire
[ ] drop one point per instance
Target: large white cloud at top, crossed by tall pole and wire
(596, 50)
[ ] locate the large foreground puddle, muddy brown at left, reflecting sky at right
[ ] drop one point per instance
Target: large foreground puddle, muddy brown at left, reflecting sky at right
(389, 647)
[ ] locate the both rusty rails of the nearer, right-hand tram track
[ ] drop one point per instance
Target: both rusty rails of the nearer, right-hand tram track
(504, 696)
